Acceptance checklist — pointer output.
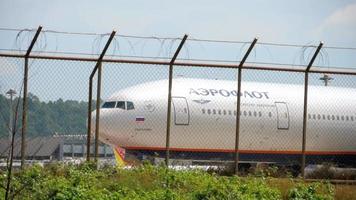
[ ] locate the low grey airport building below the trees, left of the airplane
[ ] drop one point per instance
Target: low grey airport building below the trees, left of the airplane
(59, 147)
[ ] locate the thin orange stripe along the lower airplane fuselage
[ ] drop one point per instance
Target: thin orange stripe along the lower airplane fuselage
(245, 151)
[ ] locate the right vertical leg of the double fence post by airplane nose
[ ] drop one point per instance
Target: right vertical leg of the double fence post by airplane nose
(97, 122)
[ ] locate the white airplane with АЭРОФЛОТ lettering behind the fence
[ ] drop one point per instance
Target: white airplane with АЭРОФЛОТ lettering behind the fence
(204, 117)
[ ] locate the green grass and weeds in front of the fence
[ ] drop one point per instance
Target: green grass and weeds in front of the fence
(59, 181)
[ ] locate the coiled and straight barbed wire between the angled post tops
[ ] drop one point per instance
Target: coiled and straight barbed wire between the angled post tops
(166, 45)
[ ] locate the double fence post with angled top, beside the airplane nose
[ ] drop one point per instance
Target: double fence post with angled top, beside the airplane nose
(98, 67)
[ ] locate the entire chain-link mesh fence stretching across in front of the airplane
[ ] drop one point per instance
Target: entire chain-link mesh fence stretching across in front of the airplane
(134, 96)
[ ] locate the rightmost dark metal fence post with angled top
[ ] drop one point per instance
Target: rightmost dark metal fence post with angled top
(306, 79)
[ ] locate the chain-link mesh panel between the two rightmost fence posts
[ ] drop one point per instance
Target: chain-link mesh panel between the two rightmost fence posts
(272, 117)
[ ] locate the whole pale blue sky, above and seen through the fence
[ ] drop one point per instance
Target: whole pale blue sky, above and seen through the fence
(297, 22)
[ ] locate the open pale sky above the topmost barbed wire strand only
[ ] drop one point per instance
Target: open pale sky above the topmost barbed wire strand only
(283, 21)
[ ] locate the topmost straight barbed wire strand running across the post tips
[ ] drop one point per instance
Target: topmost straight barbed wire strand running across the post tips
(177, 38)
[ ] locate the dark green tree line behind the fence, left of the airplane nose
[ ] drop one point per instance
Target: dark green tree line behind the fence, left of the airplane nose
(45, 118)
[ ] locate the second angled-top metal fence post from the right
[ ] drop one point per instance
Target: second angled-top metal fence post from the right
(237, 137)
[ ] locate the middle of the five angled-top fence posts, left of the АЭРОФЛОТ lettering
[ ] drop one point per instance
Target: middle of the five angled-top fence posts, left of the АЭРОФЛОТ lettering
(168, 133)
